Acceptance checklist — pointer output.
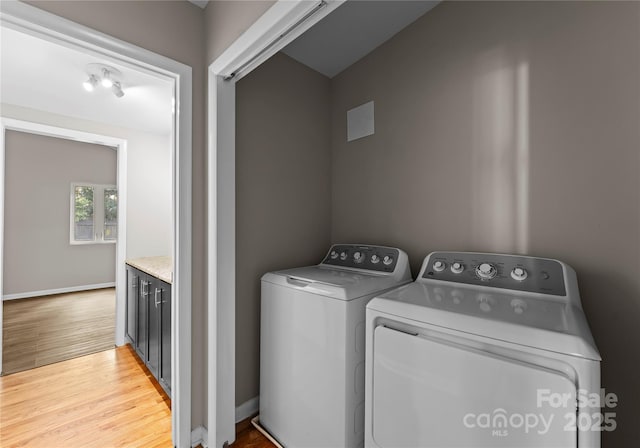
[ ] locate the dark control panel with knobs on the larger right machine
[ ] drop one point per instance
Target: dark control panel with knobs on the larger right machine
(539, 275)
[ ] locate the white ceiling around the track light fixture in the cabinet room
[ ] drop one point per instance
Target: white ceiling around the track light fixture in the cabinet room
(41, 75)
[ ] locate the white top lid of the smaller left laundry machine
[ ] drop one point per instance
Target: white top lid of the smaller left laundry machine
(338, 283)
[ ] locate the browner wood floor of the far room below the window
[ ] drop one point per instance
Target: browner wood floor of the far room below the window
(43, 330)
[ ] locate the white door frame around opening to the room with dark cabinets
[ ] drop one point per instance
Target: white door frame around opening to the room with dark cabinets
(31, 20)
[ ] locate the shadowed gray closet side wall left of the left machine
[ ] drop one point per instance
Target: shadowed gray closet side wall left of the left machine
(283, 190)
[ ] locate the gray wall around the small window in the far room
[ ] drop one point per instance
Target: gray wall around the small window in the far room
(39, 173)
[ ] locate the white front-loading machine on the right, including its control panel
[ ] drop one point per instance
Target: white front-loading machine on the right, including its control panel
(482, 350)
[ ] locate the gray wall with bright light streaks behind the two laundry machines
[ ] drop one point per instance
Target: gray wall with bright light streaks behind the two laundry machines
(509, 127)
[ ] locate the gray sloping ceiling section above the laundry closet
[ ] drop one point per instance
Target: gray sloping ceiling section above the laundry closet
(352, 31)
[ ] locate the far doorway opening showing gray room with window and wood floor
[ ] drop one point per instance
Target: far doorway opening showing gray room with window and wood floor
(61, 240)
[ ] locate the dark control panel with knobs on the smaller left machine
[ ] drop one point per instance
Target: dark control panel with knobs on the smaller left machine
(373, 258)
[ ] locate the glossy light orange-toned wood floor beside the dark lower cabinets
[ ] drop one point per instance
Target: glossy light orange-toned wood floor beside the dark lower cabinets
(106, 399)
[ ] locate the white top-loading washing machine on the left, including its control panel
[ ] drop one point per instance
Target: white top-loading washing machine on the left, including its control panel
(312, 344)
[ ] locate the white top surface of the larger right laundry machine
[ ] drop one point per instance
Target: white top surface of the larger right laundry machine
(532, 320)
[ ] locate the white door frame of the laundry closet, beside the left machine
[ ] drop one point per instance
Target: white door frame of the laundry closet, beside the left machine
(281, 24)
